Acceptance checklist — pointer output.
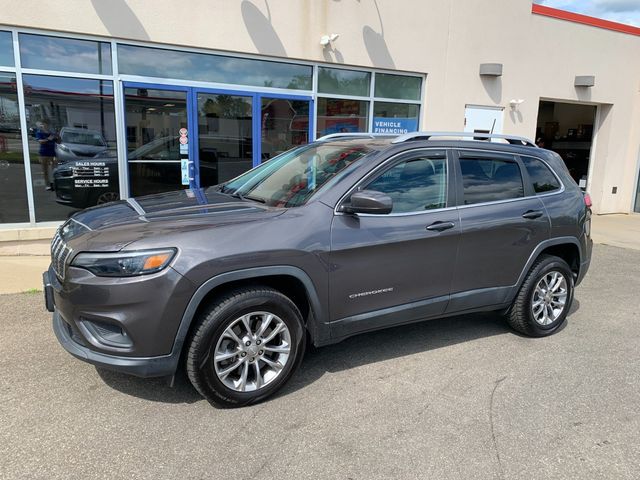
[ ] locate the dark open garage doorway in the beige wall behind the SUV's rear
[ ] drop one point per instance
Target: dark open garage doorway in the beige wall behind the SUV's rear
(567, 129)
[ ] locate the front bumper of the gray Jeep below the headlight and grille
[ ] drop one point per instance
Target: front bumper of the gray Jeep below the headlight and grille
(127, 325)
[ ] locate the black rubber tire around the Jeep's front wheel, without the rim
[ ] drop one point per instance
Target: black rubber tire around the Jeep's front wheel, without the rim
(216, 323)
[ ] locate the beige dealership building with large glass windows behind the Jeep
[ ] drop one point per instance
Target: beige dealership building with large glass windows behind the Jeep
(112, 99)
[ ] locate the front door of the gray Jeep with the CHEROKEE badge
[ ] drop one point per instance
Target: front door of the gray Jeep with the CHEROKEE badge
(394, 268)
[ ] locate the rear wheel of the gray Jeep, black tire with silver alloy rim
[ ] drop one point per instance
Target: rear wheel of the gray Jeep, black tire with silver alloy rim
(538, 315)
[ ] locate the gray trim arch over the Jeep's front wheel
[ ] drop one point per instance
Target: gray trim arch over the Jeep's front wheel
(288, 280)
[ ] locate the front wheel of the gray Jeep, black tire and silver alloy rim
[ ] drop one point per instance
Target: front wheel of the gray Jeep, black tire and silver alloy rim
(231, 360)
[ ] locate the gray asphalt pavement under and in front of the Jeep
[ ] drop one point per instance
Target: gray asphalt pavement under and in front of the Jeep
(461, 398)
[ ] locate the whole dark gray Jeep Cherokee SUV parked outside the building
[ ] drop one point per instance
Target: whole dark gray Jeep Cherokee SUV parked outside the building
(349, 234)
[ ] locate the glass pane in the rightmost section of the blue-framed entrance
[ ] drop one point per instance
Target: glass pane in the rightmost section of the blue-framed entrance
(285, 124)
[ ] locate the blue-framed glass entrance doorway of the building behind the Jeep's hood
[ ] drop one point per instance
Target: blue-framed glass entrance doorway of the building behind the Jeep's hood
(185, 137)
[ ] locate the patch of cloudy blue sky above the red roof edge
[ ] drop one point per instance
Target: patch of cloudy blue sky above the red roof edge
(623, 11)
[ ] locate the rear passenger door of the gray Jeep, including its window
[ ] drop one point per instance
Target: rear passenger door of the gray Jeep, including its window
(501, 221)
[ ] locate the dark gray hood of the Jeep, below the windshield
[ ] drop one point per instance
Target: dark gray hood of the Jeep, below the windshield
(115, 225)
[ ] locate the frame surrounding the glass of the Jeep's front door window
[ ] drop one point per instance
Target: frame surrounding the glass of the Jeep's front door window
(392, 161)
